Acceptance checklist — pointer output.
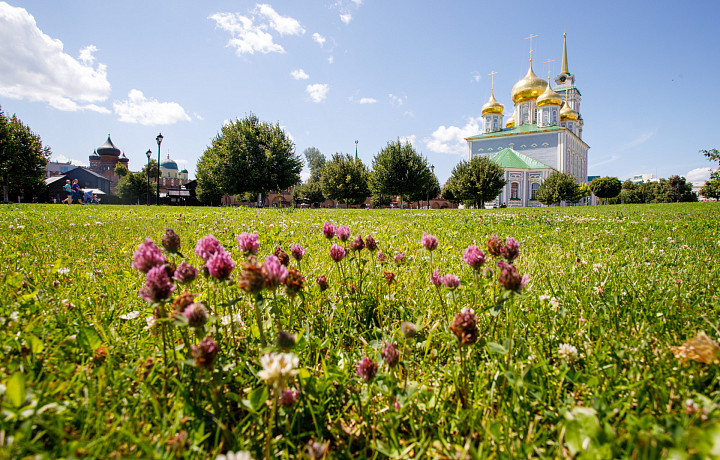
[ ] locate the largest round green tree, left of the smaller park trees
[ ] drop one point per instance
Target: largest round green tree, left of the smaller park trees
(248, 156)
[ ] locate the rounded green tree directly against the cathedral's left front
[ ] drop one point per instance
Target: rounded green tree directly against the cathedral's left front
(476, 181)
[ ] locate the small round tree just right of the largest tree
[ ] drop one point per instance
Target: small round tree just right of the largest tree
(345, 179)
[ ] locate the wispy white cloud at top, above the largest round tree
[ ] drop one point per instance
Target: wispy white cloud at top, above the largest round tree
(250, 34)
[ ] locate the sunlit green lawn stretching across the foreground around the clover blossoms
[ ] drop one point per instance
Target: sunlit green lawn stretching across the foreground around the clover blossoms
(78, 380)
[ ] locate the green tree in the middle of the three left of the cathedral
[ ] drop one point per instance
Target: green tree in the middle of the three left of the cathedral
(398, 170)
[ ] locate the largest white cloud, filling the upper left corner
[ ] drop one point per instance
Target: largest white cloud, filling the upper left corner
(35, 67)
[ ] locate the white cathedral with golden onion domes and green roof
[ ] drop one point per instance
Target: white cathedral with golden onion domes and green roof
(543, 134)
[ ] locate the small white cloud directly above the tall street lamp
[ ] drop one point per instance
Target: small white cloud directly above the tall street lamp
(149, 112)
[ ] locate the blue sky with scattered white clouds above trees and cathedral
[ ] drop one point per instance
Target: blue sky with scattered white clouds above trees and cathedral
(333, 72)
